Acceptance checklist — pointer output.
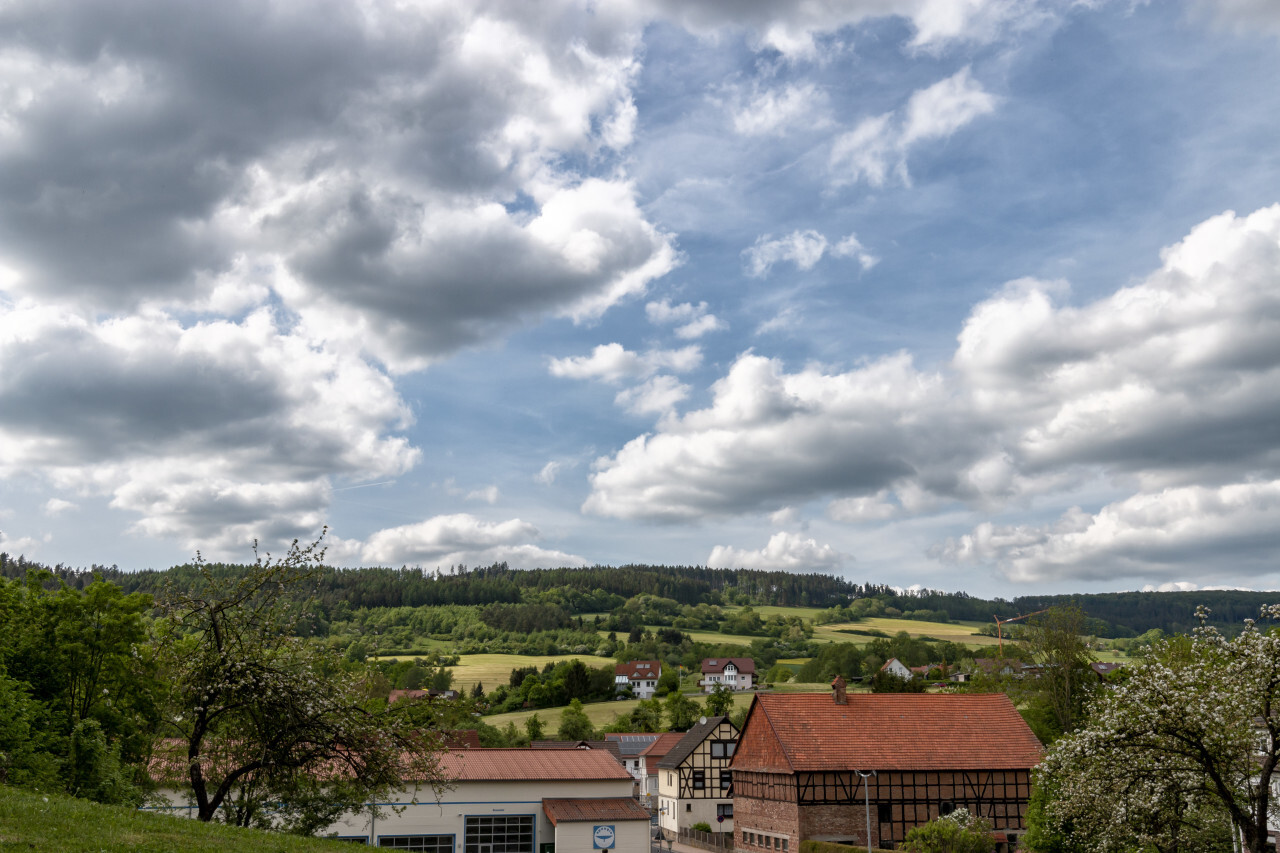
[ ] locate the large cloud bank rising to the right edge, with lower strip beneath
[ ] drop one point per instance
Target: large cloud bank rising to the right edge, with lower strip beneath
(1168, 389)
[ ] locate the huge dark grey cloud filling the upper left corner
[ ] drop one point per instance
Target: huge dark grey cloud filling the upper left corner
(399, 176)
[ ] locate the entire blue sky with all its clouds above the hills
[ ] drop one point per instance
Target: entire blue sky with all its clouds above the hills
(972, 295)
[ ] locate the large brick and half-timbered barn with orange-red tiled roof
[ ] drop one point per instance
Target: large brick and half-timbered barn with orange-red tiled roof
(811, 767)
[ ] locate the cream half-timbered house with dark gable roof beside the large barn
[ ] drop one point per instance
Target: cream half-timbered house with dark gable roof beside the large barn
(694, 782)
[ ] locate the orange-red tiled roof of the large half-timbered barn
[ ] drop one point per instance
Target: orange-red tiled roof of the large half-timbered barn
(893, 732)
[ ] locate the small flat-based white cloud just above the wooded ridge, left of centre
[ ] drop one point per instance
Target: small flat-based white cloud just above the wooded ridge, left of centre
(463, 540)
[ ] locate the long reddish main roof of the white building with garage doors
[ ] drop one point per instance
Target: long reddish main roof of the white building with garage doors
(532, 765)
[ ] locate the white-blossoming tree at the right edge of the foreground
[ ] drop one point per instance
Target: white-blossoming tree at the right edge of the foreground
(1181, 750)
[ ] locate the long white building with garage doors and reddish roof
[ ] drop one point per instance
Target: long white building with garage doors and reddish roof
(516, 801)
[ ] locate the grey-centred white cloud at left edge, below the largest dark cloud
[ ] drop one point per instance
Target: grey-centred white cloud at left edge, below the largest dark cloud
(212, 435)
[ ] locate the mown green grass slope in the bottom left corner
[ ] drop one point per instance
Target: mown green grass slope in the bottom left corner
(65, 825)
